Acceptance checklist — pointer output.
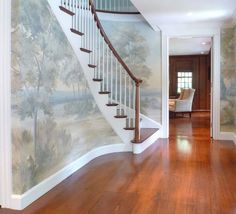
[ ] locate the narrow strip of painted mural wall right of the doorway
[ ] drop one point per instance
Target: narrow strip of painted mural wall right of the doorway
(228, 80)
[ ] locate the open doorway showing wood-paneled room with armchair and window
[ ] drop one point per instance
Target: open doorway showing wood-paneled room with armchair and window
(190, 68)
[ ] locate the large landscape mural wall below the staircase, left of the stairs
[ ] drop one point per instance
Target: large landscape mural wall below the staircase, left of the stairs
(55, 119)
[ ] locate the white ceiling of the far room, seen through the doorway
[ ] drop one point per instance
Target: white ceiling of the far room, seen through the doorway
(189, 46)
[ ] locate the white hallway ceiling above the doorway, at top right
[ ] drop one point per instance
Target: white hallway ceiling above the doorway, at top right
(161, 13)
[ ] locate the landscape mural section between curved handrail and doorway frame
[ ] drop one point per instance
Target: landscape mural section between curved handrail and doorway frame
(140, 47)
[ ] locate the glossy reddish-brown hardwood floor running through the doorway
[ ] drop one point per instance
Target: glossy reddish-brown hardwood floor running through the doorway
(188, 173)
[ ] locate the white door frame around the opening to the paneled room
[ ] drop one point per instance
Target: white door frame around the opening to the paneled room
(192, 31)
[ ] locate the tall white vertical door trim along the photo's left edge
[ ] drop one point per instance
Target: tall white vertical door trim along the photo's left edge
(5, 107)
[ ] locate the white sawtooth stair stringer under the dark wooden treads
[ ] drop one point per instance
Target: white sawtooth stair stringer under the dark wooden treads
(118, 125)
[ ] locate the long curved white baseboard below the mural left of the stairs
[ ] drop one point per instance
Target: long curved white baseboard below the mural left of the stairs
(19, 202)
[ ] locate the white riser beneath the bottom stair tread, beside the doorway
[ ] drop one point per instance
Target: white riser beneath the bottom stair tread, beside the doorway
(139, 148)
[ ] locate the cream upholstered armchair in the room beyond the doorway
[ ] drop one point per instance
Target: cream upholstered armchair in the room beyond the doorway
(184, 103)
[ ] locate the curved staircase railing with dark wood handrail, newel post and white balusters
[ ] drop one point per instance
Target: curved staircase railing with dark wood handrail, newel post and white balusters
(116, 79)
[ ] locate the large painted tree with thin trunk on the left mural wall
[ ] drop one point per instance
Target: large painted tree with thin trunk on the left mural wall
(36, 60)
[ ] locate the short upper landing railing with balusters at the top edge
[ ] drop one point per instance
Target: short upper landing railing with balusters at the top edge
(115, 6)
